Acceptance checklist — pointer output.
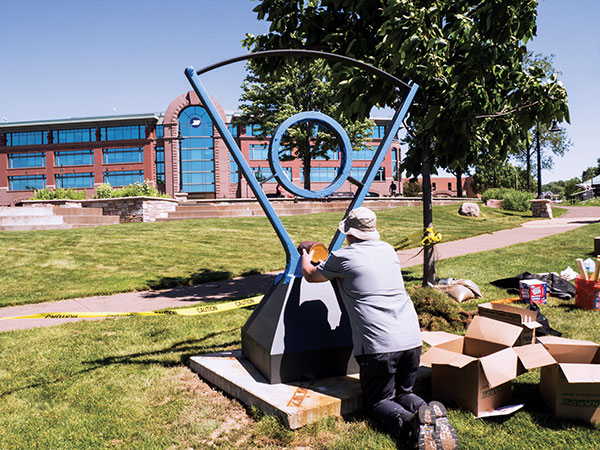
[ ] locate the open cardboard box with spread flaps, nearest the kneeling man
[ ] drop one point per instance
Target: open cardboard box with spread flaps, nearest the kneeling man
(475, 371)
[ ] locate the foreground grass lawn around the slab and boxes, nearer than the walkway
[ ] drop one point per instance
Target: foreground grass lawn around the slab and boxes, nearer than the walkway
(124, 383)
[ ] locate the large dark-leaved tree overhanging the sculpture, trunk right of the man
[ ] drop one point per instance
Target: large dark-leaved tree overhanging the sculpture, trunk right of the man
(475, 94)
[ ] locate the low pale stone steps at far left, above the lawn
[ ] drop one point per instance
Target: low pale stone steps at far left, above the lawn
(52, 218)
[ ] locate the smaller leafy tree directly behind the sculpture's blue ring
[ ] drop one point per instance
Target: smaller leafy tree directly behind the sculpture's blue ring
(269, 98)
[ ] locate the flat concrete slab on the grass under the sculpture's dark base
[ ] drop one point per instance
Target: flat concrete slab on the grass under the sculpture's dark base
(296, 404)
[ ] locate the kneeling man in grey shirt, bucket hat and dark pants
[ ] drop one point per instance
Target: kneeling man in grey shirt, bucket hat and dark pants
(385, 331)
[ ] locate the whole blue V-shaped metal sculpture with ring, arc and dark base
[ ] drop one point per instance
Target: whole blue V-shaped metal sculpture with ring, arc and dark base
(300, 330)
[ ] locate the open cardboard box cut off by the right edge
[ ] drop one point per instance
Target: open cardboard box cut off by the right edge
(571, 386)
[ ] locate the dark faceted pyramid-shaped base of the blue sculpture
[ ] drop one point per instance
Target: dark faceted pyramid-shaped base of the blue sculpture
(300, 331)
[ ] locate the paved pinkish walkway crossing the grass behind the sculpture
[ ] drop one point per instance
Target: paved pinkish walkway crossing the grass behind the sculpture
(256, 284)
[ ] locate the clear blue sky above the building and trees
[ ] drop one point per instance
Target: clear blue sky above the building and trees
(83, 58)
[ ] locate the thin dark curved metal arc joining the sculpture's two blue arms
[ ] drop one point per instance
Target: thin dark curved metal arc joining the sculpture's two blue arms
(330, 56)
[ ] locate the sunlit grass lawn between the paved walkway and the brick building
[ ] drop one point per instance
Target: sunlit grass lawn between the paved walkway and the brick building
(51, 265)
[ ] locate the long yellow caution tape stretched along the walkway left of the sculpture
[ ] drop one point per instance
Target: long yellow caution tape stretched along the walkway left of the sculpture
(192, 311)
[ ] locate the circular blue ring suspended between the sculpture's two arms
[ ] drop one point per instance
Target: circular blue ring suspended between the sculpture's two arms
(345, 157)
